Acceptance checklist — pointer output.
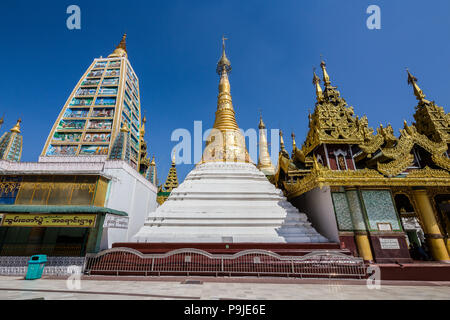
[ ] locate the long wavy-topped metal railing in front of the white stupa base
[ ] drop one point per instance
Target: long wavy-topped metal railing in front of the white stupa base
(318, 264)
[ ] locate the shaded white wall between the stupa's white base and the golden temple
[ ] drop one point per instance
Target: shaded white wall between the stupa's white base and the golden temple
(318, 206)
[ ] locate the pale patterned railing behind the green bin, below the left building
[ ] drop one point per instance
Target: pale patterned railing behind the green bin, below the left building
(56, 266)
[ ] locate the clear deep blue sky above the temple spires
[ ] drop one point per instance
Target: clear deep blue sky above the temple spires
(174, 46)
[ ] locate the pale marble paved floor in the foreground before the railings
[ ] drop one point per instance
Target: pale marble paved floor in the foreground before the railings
(56, 289)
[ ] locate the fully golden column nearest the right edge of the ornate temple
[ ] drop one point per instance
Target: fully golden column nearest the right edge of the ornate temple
(433, 233)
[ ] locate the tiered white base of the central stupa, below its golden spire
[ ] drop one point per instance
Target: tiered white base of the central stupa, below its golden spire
(227, 202)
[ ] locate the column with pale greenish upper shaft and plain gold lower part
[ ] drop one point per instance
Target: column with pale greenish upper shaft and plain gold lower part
(361, 237)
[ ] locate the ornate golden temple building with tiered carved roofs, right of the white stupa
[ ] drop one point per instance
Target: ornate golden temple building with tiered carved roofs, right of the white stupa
(380, 195)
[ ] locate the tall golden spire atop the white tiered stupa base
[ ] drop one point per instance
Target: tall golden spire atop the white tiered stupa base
(226, 142)
